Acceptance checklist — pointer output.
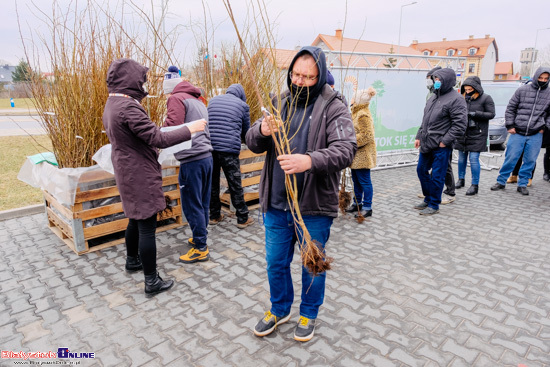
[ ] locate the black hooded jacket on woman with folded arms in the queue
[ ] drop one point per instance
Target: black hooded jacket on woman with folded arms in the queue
(482, 107)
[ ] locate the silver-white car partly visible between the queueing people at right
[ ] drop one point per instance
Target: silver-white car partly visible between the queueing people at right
(501, 92)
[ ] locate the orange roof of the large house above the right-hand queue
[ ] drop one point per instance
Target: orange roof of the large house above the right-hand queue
(480, 44)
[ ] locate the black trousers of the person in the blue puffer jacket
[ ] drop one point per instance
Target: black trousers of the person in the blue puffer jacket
(231, 166)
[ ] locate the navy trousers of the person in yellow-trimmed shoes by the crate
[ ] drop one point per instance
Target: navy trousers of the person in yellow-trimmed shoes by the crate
(195, 182)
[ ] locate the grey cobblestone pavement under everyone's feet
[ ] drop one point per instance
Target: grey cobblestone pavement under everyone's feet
(467, 287)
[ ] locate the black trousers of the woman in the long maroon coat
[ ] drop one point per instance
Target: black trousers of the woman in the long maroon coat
(140, 239)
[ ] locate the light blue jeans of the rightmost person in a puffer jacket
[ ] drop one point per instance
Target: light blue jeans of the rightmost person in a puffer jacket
(530, 146)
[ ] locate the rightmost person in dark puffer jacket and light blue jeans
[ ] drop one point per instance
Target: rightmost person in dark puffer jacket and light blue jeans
(527, 116)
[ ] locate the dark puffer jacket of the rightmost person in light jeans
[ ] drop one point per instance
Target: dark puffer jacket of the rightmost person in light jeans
(529, 108)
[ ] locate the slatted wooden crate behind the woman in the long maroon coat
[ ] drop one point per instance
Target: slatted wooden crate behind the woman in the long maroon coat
(70, 224)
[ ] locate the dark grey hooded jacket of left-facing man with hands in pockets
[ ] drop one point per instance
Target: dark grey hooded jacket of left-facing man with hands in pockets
(445, 115)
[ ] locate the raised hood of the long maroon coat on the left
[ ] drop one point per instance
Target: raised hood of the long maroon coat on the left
(126, 76)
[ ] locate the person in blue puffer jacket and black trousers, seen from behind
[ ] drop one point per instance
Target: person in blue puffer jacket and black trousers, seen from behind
(229, 121)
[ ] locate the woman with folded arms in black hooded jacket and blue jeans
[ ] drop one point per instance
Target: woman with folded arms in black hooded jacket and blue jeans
(481, 109)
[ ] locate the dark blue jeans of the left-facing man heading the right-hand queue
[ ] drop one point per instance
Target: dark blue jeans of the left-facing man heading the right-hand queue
(432, 183)
